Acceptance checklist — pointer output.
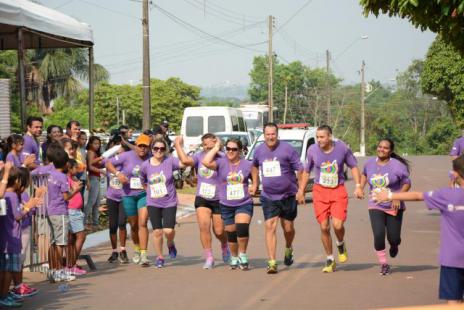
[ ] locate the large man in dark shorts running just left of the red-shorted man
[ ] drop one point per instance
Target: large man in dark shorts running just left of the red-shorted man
(277, 161)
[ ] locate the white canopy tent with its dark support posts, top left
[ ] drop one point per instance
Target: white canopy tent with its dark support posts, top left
(28, 25)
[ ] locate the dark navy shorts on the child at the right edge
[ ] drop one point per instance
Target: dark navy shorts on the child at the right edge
(451, 283)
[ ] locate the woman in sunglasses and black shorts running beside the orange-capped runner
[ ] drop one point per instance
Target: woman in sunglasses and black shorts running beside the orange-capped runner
(157, 175)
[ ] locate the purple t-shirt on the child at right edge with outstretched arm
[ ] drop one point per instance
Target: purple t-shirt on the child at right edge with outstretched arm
(450, 202)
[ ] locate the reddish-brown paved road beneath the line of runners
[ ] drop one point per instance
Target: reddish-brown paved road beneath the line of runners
(356, 285)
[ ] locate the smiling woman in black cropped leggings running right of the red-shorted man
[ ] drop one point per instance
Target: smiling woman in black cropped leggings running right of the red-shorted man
(387, 171)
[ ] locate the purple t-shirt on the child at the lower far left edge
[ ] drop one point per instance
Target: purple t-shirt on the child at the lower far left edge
(10, 227)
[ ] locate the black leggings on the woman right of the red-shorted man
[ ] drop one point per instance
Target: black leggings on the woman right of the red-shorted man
(381, 221)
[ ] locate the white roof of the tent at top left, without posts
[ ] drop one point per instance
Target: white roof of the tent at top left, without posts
(43, 27)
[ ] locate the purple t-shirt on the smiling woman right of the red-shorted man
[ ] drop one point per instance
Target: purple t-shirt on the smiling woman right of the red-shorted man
(392, 175)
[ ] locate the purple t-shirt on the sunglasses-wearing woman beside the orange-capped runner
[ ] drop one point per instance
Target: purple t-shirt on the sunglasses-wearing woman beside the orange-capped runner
(161, 192)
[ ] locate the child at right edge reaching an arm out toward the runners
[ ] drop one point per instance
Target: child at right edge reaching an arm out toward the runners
(450, 203)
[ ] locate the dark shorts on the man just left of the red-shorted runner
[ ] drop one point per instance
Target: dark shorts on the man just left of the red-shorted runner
(286, 208)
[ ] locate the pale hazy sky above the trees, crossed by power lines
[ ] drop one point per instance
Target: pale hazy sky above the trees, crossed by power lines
(213, 42)
